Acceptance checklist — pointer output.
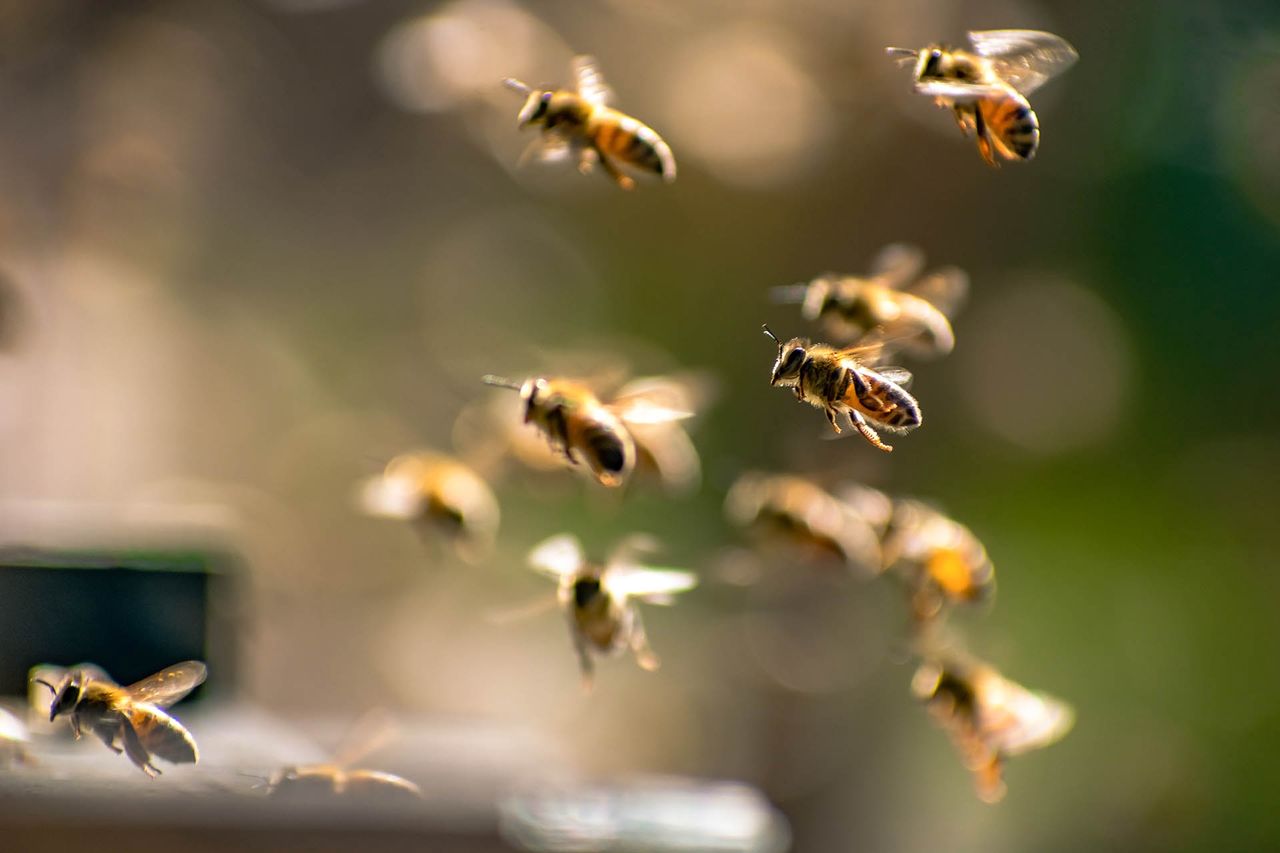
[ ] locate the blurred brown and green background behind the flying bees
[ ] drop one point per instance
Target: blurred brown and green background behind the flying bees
(249, 252)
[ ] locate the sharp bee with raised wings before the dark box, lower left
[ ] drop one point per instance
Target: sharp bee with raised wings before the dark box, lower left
(132, 715)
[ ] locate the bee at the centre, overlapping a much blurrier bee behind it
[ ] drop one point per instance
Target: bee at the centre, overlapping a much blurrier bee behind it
(584, 430)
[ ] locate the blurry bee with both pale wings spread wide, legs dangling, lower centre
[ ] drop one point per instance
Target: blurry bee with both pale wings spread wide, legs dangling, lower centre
(600, 599)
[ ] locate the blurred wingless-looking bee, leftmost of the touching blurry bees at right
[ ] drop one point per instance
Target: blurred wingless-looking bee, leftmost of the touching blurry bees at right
(806, 516)
